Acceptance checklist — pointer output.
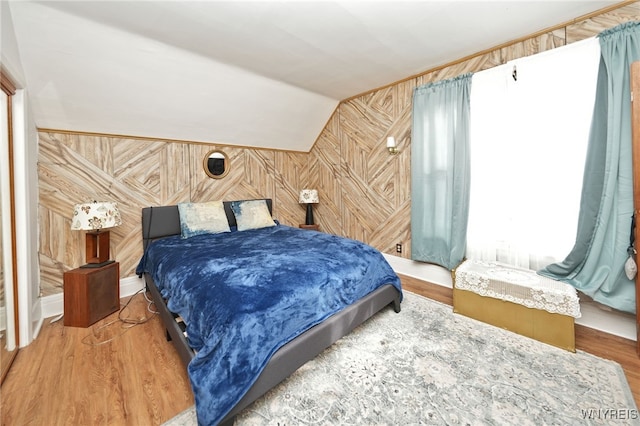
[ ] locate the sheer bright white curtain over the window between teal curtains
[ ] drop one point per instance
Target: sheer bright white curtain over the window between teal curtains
(528, 140)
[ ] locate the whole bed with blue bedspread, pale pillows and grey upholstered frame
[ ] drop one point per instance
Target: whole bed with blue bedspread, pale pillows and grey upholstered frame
(247, 306)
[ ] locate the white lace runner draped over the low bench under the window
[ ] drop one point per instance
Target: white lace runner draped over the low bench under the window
(517, 285)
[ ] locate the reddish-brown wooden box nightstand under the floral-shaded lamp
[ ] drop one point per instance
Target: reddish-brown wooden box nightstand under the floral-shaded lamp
(91, 294)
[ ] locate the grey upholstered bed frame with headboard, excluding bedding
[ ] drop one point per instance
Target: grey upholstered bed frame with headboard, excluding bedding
(164, 221)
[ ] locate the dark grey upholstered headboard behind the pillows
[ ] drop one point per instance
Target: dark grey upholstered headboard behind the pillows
(164, 221)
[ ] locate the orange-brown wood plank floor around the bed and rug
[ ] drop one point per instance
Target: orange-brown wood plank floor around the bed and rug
(110, 375)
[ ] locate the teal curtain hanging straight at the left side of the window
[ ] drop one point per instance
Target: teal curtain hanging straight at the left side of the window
(440, 171)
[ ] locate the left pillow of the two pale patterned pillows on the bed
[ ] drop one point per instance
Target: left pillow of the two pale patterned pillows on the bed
(202, 218)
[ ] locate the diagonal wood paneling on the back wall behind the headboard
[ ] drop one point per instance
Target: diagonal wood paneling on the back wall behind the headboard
(75, 168)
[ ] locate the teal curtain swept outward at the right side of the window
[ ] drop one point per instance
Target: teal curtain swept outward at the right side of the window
(595, 265)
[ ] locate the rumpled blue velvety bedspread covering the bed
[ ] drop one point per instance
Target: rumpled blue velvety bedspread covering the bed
(245, 294)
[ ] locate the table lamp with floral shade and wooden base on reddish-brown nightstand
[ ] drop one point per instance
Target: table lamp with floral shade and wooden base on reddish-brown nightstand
(94, 218)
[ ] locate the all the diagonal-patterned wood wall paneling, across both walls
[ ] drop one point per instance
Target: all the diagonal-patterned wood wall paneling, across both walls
(364, 191)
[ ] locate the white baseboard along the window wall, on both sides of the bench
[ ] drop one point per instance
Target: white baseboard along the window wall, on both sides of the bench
(612, 322)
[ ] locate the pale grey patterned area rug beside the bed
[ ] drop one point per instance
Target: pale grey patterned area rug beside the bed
(427, 365)
